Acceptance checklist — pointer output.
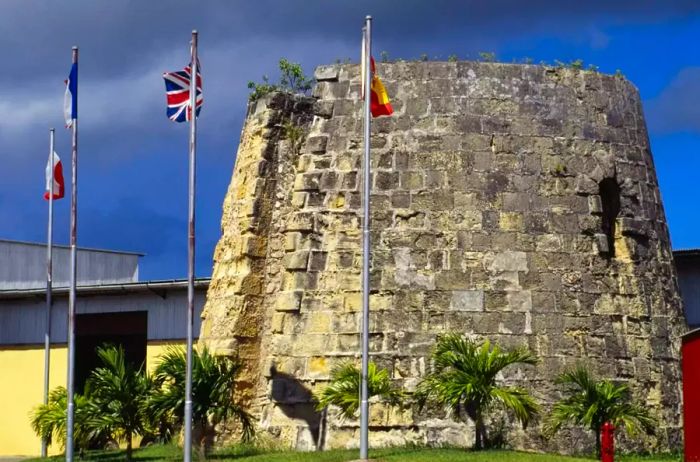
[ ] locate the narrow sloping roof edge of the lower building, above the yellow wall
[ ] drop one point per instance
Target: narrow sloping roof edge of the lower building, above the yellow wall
(105, 289)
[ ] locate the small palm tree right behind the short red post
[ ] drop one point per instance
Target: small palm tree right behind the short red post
(591, 403)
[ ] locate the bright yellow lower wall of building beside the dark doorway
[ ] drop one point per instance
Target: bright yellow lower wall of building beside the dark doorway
(22, 388)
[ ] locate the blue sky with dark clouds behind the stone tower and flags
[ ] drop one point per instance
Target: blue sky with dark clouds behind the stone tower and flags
(132, 192)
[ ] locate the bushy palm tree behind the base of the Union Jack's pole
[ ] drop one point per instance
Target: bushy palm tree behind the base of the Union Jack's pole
(213, 379)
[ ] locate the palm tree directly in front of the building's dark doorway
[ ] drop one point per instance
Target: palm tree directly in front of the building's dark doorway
(119, 390)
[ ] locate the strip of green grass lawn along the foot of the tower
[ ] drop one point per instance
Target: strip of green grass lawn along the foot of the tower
(246, 454)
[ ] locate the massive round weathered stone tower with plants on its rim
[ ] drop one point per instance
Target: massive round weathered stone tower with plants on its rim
(517, 203)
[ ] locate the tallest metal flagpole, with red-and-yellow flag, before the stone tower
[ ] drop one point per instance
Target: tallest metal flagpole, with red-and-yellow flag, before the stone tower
(364, 405)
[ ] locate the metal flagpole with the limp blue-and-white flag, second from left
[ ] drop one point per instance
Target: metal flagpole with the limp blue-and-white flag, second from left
(70, 411)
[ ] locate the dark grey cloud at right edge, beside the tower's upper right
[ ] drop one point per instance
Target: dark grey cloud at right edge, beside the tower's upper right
(677, 108)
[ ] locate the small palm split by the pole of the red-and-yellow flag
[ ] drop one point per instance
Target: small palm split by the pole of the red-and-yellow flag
(344, 388)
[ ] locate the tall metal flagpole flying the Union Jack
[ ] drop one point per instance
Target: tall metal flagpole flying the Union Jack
(190, 266)
